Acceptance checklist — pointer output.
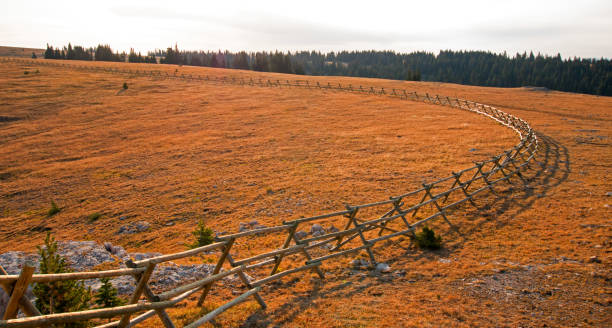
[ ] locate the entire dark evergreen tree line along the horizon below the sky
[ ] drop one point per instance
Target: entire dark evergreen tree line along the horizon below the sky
(593, 76)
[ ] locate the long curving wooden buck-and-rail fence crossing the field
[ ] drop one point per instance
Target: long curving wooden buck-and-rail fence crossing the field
(362, 226)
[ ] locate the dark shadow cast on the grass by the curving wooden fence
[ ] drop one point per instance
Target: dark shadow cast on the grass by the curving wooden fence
(550, 168)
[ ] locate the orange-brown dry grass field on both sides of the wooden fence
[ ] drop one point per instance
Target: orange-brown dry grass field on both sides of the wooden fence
(174, 152)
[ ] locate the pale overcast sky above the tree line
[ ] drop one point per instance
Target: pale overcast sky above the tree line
(572, 28)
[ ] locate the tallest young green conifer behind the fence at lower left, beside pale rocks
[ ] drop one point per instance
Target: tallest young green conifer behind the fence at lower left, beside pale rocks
(59, 296)
